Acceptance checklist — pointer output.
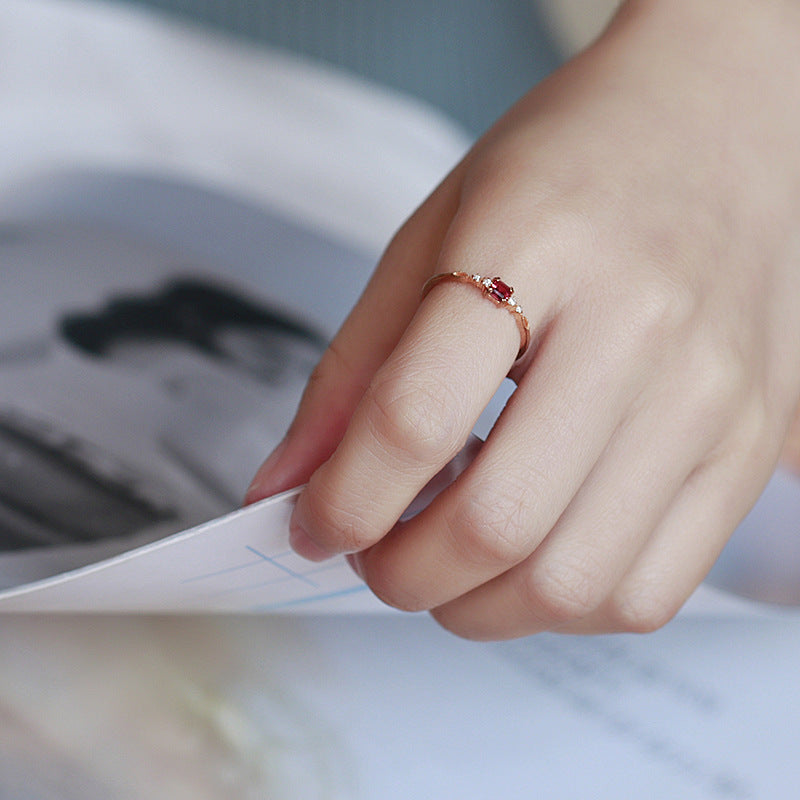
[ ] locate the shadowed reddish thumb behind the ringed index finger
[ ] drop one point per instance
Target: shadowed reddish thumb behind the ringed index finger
(369, 334)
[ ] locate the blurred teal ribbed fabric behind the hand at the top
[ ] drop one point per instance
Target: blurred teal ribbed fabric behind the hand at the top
(470, 58)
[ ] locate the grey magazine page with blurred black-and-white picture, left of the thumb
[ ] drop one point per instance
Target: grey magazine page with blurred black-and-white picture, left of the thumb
(140, 388)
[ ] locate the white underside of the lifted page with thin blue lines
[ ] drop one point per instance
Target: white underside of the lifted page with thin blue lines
(238, 563)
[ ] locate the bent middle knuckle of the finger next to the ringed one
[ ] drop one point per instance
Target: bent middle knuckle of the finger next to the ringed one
(489, 530)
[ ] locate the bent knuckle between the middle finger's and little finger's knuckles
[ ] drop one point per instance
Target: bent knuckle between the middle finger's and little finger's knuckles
(563, 590)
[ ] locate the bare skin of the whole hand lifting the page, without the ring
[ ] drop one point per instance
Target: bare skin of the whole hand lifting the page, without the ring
(644, 202)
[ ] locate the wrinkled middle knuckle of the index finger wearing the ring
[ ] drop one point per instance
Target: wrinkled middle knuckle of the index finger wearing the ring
(418, 421)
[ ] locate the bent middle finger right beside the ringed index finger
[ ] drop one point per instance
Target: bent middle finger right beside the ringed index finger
(547, 441)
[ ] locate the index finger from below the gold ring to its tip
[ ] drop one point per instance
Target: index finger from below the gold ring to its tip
(415, 416)
